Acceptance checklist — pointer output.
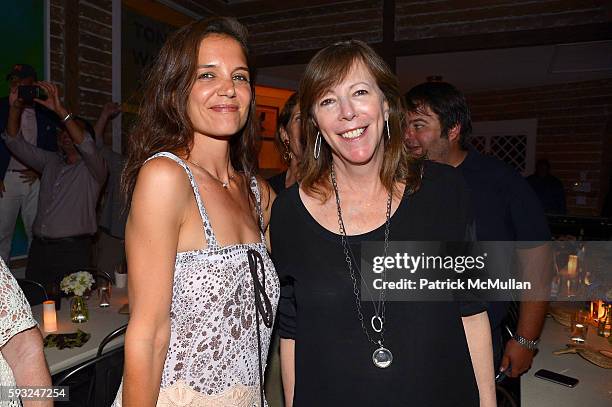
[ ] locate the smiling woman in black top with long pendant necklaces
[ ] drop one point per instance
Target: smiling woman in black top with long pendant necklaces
(358, 184)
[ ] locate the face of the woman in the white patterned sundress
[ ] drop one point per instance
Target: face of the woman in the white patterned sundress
(218, 105)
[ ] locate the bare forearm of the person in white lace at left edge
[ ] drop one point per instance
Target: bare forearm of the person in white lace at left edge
(24, 354)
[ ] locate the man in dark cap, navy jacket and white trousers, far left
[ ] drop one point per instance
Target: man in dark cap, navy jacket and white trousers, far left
(19, 185)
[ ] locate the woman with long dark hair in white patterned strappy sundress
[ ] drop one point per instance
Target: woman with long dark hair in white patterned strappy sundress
(202, 288)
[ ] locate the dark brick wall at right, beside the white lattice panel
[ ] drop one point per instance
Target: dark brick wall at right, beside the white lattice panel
(574, 131)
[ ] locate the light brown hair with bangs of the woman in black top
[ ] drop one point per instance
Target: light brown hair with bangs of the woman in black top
(327, 68)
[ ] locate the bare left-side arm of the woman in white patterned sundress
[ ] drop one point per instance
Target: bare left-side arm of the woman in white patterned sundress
(152, 234)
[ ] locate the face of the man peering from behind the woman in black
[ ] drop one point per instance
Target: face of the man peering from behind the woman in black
(424, 135)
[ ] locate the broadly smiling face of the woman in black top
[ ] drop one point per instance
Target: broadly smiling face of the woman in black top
(351, 117)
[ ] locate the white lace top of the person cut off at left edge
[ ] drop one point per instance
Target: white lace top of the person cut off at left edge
(15, 317)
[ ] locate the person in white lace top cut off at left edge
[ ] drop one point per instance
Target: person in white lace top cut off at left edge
(22, 361)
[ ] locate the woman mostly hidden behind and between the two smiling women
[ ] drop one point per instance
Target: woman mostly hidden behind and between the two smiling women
(290, 144)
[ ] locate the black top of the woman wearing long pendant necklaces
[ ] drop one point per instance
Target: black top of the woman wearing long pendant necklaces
(333, 358)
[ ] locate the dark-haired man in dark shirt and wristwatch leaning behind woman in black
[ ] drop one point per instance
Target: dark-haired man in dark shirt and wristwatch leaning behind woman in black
(505, 207)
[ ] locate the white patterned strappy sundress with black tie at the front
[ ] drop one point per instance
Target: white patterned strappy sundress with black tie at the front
(212, 358)
